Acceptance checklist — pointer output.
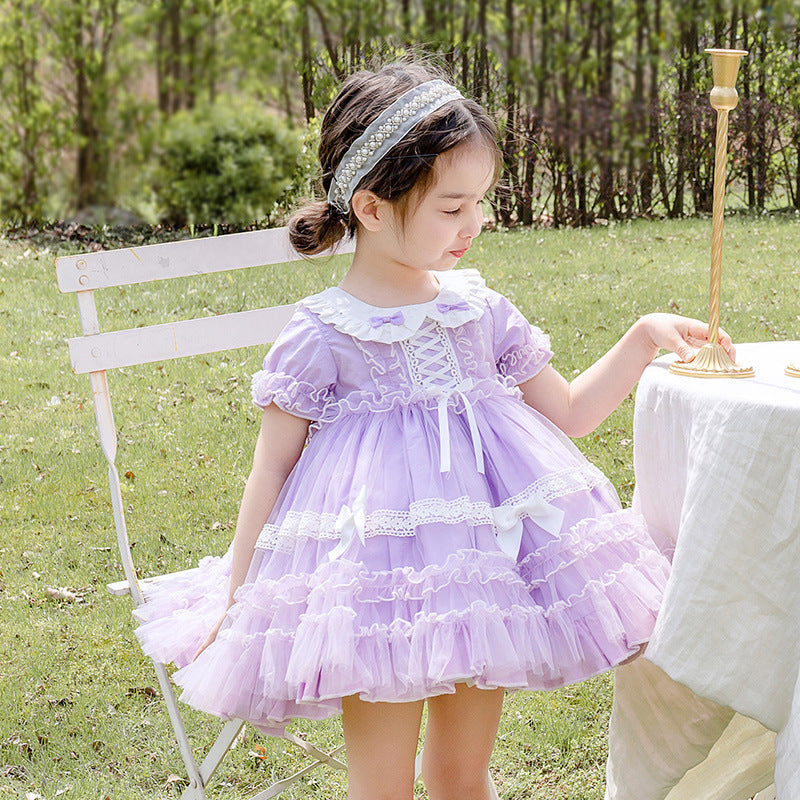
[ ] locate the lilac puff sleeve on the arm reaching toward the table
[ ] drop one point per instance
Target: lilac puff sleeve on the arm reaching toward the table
(521, 350)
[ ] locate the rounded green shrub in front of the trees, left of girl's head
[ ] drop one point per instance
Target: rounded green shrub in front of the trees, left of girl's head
(223, 164)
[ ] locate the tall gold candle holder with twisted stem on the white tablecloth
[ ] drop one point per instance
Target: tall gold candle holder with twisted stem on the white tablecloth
(712, 360)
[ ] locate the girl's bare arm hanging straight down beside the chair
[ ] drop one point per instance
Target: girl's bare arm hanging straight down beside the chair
(279, 444)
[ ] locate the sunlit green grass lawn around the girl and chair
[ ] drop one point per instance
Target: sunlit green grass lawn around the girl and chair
(80, 717)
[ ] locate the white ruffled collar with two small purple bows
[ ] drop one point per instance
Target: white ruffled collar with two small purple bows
(460, 299)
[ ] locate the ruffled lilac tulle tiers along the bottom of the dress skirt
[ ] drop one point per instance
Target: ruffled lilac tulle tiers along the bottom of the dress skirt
(295, 644)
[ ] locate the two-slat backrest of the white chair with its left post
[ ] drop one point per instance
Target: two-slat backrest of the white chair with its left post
(97, 351)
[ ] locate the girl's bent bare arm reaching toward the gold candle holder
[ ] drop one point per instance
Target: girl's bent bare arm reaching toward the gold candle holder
(580, 406)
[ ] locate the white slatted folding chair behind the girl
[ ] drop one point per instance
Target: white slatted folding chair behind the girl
(96, 352)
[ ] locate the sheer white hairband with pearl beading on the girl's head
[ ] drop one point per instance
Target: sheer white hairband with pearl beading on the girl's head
(383, 133)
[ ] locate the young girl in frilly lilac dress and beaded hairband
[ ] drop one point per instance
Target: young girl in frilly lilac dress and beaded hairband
(416, 526)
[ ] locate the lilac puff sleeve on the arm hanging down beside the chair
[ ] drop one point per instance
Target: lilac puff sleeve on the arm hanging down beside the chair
(298, 374)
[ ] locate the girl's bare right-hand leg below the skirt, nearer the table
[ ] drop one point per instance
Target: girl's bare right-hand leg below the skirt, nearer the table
(459, 739)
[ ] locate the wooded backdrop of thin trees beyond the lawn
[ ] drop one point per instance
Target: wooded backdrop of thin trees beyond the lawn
(602, 104)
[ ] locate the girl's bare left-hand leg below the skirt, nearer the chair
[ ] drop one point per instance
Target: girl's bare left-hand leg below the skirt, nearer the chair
(381, 742)
